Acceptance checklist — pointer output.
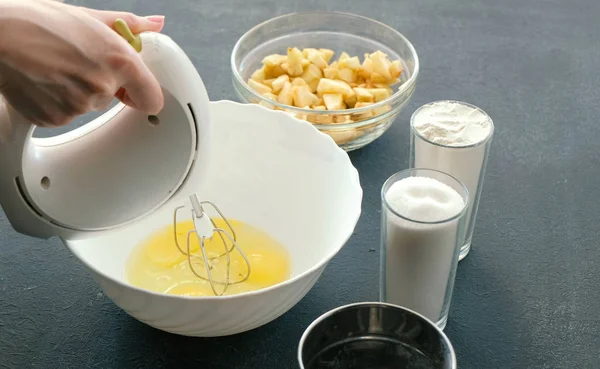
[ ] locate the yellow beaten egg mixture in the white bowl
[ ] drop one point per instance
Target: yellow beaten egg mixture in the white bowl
(158, 265)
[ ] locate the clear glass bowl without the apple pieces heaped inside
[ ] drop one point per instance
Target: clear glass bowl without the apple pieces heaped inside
(351, 128)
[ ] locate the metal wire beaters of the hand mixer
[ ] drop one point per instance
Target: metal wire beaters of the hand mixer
(205, 228)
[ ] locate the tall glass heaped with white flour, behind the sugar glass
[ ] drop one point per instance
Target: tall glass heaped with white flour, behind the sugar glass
(455, 138)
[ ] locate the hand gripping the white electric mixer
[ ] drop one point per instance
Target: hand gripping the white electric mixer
(58, 61)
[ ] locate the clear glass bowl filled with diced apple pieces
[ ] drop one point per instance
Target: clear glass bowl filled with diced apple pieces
(348, 75)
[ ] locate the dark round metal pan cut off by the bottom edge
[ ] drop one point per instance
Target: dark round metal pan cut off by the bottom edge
(373, 335)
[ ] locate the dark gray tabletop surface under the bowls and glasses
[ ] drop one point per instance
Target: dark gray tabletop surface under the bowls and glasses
(527, 296)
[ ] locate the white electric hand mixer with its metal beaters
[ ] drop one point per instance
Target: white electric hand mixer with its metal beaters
(119, 167)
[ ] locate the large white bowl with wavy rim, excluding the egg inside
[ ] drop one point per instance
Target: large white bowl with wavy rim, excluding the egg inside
(270, 170)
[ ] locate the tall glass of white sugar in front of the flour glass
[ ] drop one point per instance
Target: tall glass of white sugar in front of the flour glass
(423, 226)
